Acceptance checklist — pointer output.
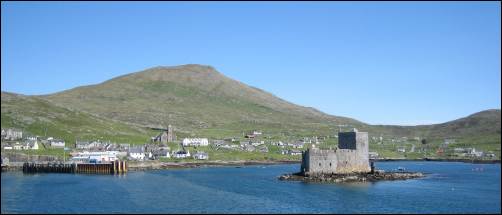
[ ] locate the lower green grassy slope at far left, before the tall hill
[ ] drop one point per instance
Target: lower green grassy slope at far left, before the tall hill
(37, 117)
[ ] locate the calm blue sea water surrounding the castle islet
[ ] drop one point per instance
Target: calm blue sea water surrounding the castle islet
(449, 187)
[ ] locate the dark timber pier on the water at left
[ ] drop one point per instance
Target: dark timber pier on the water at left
(115, 167)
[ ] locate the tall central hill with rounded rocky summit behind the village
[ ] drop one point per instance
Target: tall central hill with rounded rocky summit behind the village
(191, 97)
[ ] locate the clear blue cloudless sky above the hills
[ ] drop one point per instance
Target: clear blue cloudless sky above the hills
(400, 63)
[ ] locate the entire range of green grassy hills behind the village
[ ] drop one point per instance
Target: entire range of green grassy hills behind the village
(200, 101)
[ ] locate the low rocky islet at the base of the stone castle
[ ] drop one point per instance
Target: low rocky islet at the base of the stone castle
(379, 175)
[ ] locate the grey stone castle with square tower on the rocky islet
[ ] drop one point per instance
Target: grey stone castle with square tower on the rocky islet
(351, 156)
